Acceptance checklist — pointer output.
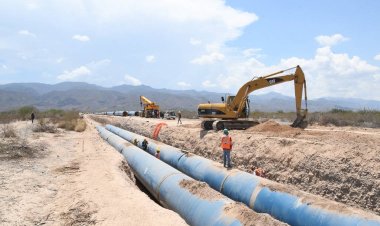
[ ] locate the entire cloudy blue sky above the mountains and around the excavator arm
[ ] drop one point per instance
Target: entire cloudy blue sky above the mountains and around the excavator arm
(200, 44)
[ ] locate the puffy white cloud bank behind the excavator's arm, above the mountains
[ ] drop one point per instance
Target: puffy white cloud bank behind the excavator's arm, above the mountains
(327, 74)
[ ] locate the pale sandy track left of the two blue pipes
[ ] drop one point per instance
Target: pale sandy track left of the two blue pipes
(71, 179)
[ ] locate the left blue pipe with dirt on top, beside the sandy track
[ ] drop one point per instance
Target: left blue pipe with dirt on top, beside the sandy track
(194, 202)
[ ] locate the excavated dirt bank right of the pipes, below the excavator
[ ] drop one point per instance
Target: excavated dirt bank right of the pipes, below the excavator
(338, 163)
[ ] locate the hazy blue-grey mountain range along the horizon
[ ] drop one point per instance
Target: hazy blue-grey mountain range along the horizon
(89, 97)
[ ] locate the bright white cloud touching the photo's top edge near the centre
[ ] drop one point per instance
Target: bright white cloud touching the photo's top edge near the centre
(212, 17)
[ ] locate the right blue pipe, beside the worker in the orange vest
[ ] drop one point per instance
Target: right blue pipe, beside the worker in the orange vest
(264, 196)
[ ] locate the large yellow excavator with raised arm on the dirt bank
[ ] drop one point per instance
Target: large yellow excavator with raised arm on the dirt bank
(233, 113)
